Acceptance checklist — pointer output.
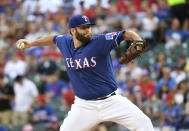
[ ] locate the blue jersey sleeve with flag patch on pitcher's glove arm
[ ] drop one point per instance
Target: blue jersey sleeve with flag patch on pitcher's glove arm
(110, 40)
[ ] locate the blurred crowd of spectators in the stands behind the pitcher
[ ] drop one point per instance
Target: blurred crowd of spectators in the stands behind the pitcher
(34, 85)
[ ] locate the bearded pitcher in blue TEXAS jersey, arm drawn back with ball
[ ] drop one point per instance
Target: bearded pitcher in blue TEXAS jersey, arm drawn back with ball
(89, 68)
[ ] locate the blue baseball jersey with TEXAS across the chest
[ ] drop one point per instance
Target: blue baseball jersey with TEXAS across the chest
(89, 67)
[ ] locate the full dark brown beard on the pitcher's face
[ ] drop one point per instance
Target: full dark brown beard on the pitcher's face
(84, 39)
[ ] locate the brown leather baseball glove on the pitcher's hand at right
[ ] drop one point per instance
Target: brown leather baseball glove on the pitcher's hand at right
(134, 50)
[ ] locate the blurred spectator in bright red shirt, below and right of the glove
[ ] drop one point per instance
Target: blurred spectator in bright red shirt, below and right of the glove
(147, 86)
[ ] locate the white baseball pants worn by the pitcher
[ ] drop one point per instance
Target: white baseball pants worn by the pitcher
(85, 114)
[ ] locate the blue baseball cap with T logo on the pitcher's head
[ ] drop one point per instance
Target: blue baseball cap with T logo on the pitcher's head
(79, 20)
